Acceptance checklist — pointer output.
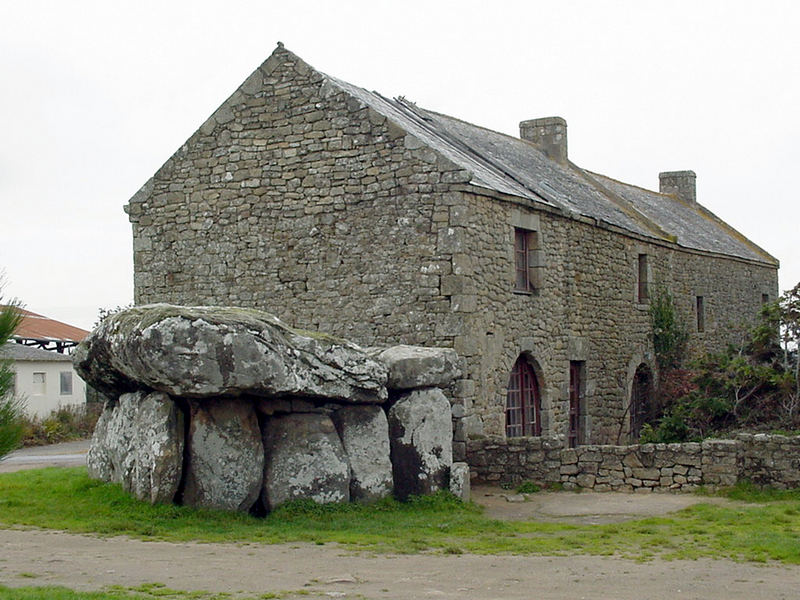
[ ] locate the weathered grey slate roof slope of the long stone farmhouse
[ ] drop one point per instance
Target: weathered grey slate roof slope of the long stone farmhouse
(513, 166)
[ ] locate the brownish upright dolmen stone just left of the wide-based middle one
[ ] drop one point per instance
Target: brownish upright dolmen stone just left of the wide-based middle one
(226, 456)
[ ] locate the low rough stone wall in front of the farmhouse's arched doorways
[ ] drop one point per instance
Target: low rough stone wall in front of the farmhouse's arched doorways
(772, 460)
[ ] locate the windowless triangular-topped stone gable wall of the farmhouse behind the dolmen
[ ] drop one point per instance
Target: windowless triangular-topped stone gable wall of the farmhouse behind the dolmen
(296, 198)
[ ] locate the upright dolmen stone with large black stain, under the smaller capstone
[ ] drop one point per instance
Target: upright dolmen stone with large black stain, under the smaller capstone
(420, 434)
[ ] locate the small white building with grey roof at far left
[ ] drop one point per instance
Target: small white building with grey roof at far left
(44, 380)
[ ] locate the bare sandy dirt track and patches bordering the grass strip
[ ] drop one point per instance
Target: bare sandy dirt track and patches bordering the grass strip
(33, 557)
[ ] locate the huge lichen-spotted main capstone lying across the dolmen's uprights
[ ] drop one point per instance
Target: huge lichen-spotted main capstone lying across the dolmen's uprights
(207, 352)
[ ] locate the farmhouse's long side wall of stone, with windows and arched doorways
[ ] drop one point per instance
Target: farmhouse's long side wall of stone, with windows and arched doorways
(586, 309)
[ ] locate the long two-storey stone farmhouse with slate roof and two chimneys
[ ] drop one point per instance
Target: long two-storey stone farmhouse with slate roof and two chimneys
(338, 209)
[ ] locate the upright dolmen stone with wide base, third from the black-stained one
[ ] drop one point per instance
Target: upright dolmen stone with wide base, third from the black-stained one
(304, 459)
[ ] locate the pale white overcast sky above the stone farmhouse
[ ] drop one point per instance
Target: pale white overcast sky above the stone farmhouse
(96, 96)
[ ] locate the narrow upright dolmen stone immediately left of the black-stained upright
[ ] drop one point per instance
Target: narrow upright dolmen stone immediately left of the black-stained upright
(364, 431)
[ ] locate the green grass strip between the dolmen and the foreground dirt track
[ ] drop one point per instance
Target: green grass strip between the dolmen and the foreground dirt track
(67, 499)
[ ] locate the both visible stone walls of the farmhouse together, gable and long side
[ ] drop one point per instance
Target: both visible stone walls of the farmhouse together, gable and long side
(296, 198)
